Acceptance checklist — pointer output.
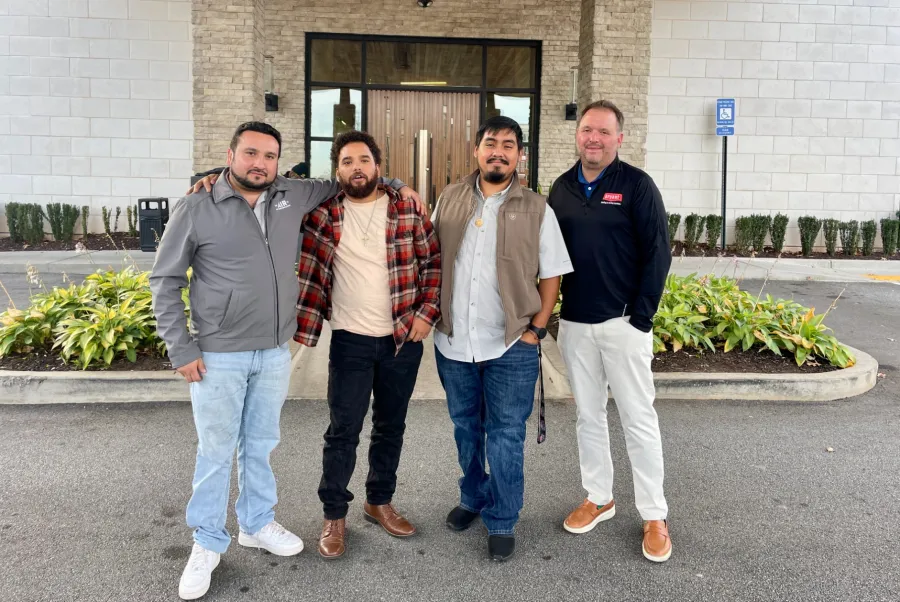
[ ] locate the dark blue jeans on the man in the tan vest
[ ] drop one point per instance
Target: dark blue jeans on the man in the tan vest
(489, 403)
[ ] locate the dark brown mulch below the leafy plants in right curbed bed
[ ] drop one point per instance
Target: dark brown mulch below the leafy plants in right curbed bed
(764, 362)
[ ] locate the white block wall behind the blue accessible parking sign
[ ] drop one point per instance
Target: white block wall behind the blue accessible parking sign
(817, 88)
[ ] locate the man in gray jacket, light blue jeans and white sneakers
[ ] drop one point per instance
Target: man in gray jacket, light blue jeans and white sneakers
(240, 239)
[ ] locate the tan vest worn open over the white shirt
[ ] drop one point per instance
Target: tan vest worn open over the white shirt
(518, 250)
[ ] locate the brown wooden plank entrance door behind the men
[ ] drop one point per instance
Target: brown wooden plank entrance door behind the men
(395, 120)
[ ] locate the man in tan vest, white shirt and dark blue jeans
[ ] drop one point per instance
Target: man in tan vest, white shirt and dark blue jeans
(497, 240)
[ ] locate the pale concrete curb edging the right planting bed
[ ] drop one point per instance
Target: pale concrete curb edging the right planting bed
(824, 386)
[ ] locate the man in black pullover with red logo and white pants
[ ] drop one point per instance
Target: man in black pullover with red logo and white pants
(614, 223)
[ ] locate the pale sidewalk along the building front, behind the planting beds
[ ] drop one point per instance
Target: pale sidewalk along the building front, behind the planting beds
(824, 270)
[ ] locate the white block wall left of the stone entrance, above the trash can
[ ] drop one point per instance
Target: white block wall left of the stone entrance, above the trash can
(95, 101)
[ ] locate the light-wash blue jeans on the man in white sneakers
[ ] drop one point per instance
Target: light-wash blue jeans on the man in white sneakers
(237, 404)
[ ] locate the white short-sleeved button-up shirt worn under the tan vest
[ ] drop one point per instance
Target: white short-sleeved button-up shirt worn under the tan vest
(479, 322)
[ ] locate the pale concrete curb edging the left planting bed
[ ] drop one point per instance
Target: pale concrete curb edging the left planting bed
(99, 387)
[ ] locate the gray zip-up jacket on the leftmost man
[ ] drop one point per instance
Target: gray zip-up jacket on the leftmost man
(243, 289)
